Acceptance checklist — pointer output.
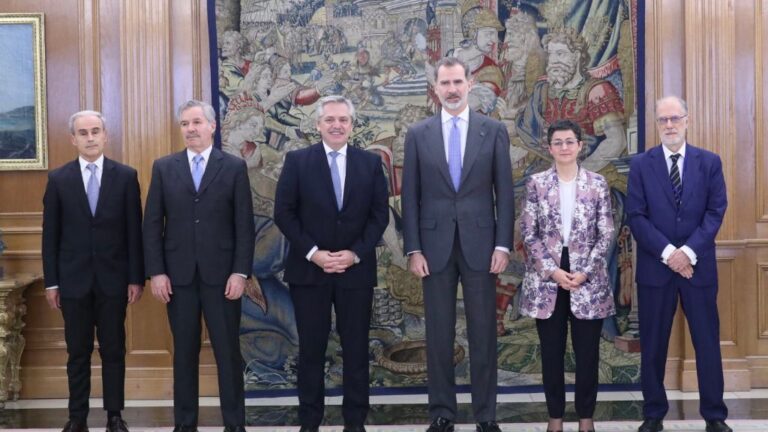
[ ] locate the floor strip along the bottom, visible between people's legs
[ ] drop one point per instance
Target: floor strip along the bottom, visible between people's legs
(518, 412)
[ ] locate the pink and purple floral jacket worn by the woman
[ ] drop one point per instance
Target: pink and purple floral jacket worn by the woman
(590, 238)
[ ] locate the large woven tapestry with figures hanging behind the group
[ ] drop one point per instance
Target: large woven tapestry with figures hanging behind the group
(274, 59)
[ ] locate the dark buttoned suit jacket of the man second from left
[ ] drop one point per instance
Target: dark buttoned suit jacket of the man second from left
(211, 230)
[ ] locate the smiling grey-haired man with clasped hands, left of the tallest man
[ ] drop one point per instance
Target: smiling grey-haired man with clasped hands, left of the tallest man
(331, 204)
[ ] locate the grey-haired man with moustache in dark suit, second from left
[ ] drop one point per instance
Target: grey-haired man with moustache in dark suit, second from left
(198, 239)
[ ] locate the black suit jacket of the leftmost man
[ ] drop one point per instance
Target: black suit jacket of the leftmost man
(79, 248)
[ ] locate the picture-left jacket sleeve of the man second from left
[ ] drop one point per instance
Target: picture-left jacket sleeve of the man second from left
(154, 225)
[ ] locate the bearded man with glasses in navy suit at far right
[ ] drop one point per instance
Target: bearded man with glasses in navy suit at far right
(676, 201)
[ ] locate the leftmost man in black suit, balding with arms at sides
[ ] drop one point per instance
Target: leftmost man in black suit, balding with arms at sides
(93, 265)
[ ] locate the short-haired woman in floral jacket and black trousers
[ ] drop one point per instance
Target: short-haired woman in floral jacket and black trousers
(567, 228)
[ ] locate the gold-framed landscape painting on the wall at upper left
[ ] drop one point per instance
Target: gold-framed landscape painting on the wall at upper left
(23, 143)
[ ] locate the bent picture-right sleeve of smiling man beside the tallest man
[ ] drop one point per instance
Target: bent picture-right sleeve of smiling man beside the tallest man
(378, 214)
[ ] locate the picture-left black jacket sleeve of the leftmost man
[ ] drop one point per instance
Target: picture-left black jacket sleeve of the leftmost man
(51, 233)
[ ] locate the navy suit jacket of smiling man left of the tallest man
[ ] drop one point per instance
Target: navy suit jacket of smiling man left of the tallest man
(307, 214)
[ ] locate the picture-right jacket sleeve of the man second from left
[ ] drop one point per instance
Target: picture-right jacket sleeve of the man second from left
(245, 230)
